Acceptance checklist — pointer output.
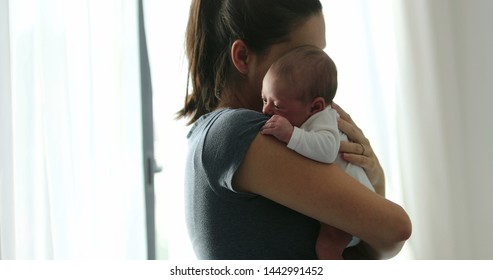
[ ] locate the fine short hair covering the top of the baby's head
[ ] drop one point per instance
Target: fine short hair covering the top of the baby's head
(310, 70)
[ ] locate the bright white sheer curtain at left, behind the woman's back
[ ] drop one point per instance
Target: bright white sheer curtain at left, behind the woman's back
(71, 151)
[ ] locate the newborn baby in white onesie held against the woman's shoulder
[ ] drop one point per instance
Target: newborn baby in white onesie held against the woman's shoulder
(297, 93)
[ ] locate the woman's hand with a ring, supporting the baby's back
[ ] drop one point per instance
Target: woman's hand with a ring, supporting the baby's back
(359, 150)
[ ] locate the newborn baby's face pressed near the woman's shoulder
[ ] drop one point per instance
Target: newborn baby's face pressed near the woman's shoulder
(281, 99)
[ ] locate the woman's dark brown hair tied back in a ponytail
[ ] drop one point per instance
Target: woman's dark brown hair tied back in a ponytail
(214, 25)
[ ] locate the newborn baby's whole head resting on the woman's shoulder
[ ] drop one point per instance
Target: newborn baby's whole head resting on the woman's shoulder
(300, 83)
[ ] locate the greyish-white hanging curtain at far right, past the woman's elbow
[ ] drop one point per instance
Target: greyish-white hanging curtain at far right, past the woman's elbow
(444, 117)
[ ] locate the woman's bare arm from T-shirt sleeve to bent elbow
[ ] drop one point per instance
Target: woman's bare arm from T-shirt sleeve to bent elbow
(323, 192)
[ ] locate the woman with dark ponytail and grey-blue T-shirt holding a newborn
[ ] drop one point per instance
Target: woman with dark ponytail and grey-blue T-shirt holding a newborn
(247, 195)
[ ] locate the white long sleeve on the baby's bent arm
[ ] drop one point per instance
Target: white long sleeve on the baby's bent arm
(318, 138)
